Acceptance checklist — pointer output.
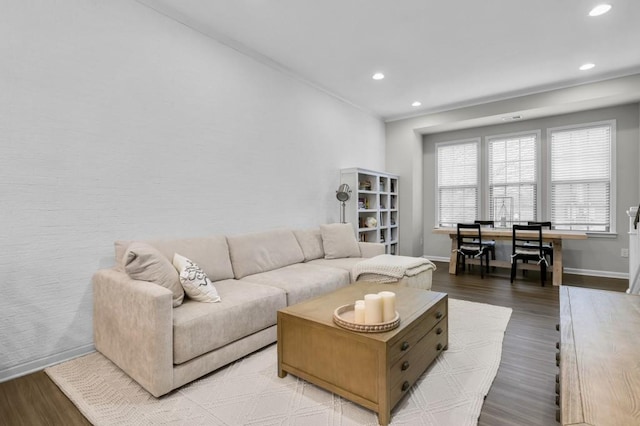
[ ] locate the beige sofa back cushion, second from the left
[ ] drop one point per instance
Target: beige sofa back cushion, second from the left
(257, 252)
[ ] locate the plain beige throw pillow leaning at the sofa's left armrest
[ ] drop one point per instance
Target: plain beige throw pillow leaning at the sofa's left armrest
(143, 262)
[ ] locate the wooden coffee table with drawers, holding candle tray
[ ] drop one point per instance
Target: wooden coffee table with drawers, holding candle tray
(374, 370)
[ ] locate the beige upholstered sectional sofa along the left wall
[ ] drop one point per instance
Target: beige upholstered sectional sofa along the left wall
(163, 347)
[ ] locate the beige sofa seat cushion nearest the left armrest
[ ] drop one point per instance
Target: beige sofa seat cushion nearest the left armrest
(244, 309)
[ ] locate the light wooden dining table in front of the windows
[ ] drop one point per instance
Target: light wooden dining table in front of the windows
(555, 236)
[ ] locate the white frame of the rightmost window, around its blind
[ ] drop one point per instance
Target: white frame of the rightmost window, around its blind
(612, 170)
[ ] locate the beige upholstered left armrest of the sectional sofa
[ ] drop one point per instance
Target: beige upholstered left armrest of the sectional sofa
(132, 326)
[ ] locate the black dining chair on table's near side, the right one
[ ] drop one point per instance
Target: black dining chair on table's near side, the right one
(527, 247)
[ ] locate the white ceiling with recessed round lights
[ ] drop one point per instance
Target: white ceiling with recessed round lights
(447, 55)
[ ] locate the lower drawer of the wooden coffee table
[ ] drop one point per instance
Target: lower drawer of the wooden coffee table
(408, 370)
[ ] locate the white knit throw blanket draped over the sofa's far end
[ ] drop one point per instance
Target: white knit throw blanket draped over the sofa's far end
(389, 267)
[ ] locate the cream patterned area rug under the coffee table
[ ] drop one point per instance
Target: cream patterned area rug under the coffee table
(249, 391)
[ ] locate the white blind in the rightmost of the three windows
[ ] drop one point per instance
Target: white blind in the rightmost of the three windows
(581, 178)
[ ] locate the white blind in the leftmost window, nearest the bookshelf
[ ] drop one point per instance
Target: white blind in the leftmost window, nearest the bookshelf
(457, 184)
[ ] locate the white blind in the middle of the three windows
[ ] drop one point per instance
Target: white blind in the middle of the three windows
(512, 176)
